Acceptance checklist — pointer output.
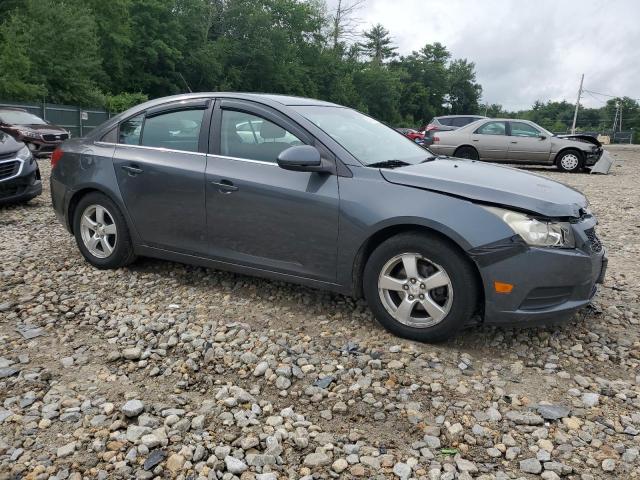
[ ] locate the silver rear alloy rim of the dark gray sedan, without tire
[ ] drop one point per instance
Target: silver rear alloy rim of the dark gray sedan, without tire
(98, 230)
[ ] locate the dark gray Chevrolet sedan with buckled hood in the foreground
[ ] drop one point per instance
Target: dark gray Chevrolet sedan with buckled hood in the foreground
(318, 194)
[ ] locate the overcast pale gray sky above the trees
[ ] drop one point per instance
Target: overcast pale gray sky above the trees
(525, 50)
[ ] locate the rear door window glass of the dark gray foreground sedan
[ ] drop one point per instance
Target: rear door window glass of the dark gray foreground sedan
(179, 130)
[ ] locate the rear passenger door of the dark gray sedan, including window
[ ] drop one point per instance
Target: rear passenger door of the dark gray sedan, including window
(159, 162)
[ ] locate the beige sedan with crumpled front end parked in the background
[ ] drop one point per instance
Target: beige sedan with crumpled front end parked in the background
(518, 141)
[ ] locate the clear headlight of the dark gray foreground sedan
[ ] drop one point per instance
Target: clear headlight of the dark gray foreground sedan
(536, 232)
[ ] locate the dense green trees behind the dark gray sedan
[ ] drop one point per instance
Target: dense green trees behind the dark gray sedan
(87, 51)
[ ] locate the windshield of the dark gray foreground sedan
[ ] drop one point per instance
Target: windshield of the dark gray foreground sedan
(368, 140)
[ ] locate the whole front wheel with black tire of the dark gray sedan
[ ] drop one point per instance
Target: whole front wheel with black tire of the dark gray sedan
(420, 287)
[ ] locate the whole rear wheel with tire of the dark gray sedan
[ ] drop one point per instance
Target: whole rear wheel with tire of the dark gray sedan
(101, 232)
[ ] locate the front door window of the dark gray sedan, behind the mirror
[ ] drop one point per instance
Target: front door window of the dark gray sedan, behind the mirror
(248, 136)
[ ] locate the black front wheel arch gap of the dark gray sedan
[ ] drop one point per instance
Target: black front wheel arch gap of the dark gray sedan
(382, 234)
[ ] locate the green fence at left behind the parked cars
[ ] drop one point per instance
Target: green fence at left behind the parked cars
(79, 121)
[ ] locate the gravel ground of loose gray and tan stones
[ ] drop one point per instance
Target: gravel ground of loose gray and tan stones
(163, 370)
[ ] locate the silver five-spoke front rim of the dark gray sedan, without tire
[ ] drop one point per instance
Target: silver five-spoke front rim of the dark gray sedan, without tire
(415, 291)
